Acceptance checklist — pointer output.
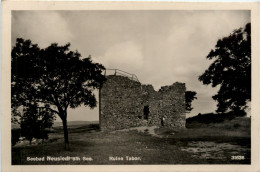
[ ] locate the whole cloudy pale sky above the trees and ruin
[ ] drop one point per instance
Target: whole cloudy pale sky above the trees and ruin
(160, 47)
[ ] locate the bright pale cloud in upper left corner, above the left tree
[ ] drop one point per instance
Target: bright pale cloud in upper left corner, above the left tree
(42, 27)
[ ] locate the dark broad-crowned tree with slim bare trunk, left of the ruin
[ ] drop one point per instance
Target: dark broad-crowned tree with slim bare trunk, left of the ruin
(55, 77)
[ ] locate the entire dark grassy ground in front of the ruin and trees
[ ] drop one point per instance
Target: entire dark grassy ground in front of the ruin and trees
(194, 145)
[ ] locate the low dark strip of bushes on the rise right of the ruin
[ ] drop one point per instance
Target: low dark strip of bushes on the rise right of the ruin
(213, 117)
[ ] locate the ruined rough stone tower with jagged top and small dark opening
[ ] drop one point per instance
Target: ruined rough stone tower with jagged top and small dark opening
(126, 103)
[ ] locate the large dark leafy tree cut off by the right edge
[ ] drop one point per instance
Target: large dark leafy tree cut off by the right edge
(231, 70)
